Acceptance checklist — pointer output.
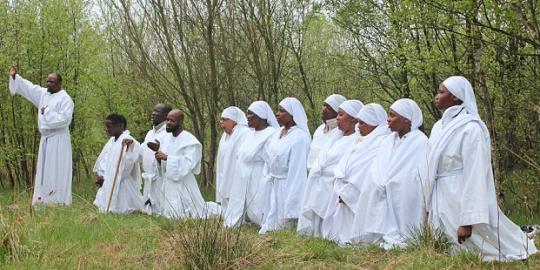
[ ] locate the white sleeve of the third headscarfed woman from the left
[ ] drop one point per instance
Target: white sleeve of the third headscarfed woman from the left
(296, 178)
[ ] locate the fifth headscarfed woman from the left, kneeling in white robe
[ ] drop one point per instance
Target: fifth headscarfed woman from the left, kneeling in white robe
(321, 176)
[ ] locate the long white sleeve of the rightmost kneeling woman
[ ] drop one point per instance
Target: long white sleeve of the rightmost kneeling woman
(474, 206)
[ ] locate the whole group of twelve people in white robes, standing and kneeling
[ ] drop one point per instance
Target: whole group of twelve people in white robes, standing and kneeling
(368, 177)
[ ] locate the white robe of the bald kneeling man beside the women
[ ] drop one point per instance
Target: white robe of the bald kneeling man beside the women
(180, 194)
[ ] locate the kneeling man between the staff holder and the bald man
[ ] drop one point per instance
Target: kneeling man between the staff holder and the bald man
(152, 179)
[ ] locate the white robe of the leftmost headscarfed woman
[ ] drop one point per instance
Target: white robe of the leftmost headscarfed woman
(226, 163)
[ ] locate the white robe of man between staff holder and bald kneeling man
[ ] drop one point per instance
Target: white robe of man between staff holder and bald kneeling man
(151, 175)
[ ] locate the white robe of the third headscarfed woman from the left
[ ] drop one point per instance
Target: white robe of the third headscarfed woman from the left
(286, 180)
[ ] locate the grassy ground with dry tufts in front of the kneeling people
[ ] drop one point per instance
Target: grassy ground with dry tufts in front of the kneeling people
(77, 237)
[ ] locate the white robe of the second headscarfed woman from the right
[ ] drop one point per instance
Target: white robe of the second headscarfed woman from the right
(391, 201)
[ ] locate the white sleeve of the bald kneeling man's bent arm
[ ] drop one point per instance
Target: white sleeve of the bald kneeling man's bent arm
(179, 166)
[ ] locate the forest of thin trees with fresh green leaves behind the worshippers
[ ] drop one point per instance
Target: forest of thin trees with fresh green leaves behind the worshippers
(203, 56)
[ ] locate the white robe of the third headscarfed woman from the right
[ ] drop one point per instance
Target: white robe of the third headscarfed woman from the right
(349, 175)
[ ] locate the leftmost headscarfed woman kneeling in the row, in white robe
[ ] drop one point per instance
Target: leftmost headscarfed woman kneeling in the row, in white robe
(234, 124)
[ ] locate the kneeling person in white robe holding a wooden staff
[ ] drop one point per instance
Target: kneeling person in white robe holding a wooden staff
(117, 169)
